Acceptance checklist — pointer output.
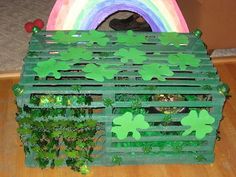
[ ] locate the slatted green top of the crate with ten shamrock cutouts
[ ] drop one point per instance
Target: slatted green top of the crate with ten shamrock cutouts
(109, 62)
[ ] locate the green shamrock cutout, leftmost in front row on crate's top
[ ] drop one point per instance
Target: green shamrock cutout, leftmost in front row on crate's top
(44, 68)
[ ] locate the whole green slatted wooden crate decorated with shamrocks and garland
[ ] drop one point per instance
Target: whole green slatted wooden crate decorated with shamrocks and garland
(141, 97)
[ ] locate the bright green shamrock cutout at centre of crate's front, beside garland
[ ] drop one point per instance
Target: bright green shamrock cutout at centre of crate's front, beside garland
(127, 123)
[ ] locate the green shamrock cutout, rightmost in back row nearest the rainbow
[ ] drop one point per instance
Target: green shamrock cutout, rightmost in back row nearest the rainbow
(173, 38)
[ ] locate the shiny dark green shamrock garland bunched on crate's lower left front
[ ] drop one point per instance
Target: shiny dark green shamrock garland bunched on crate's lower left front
(55, 143)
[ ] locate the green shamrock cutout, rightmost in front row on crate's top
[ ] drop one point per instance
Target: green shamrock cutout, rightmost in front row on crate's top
(150, 71)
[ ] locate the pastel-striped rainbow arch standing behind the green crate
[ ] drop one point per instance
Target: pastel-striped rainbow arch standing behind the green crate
(162, 15)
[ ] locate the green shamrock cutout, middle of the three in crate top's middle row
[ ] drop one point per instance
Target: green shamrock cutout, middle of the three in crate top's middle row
(131, 54)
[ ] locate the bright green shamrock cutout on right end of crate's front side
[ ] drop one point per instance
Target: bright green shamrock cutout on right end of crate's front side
(201, 124)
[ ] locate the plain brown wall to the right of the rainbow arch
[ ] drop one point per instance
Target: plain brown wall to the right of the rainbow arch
(215, 18)
